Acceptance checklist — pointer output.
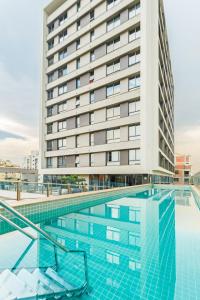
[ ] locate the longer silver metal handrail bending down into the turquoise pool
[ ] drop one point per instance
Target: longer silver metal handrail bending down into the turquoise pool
(44, 234)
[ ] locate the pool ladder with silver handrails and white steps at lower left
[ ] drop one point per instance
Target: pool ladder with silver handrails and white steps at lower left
(40, 283)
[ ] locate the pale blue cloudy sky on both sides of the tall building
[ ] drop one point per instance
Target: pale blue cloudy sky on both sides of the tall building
(20, 73)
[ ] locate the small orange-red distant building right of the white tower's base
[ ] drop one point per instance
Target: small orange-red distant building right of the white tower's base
(183, 169)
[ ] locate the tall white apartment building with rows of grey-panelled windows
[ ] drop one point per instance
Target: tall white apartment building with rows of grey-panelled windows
(108, 93)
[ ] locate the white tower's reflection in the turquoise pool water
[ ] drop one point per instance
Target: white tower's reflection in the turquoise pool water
(130, 244)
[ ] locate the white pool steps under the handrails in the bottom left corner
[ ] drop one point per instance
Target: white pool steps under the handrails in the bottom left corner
(38, 284)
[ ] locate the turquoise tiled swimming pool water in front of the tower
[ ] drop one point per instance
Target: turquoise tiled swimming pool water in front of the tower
(141, 245)
